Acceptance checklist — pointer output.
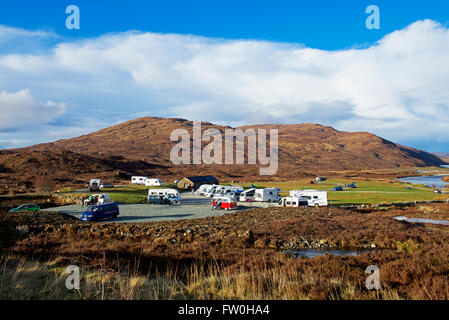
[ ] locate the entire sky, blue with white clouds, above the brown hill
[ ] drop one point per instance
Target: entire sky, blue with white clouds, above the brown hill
(228, 62)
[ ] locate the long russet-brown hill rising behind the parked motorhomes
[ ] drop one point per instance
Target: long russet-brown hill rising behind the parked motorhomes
(142, 146)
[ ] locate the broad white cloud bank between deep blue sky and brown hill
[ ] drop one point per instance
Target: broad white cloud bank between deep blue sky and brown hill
(397, 88)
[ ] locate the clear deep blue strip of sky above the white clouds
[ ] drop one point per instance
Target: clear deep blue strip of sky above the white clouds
(323, 24)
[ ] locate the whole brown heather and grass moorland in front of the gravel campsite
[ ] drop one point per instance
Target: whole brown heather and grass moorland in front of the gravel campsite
(219, 263)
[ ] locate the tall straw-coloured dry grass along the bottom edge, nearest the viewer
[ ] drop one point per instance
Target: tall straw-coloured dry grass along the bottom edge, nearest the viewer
(22, 279)
